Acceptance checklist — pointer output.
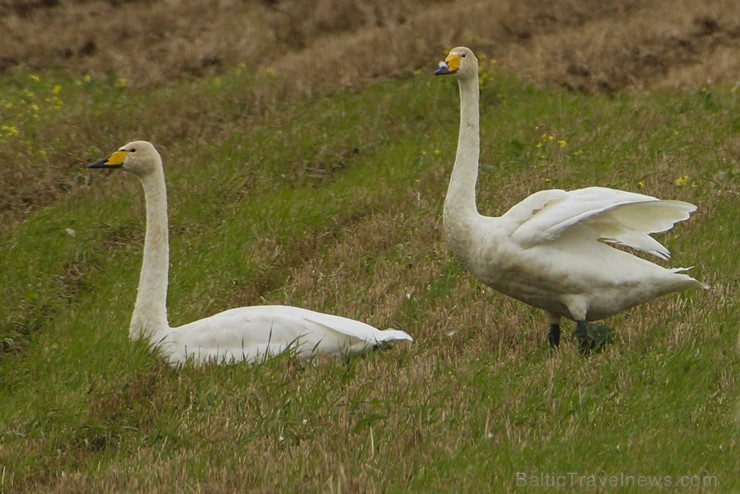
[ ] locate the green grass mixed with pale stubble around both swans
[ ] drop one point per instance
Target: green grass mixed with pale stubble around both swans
(334, 203)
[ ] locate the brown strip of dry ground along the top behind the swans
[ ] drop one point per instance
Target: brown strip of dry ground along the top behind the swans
(584, 45)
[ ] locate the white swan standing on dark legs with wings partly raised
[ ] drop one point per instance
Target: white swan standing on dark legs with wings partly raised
(550, 250)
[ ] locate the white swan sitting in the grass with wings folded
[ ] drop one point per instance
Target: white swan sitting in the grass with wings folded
(246, 333)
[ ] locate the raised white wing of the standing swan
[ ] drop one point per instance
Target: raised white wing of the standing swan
(605, 214)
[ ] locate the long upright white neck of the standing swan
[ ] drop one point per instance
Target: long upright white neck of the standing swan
(460, 208)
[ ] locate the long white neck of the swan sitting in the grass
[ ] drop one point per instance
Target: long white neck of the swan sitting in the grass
(150, 312)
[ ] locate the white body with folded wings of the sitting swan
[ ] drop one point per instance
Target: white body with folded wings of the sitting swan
(251, 333)
